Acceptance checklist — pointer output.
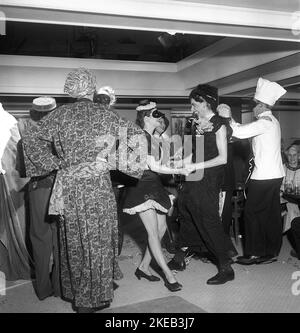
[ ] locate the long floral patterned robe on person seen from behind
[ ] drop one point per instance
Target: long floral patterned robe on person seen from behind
(81, 134)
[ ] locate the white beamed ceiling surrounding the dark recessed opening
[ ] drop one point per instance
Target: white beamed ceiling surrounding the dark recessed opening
(259, 42)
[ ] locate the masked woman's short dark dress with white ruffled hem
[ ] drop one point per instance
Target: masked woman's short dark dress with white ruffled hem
(149, 193)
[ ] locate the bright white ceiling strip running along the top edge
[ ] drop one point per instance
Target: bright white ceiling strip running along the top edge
(167, 9)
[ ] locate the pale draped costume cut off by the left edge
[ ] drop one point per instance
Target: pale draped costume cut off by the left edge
(14, 257)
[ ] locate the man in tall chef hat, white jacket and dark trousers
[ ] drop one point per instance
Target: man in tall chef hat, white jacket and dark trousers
(262, 215)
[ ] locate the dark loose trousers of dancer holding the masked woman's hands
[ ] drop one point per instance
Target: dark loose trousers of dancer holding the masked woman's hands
(200, 200)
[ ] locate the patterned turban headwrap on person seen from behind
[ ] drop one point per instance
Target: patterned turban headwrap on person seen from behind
(80, 82)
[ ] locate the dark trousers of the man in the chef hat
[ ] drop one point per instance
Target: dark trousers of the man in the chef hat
(262, 217)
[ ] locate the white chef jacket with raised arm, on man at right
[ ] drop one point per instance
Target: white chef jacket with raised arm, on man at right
(266, 145)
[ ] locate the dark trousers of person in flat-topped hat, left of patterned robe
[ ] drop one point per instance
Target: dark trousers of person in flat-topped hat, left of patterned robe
(44, 239)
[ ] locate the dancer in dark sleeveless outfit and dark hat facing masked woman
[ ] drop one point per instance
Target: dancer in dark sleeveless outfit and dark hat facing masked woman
(201, 198)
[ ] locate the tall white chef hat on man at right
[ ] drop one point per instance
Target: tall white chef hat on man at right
(268, 92)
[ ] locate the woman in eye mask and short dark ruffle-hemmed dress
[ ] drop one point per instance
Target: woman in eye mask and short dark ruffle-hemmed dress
(150, 200)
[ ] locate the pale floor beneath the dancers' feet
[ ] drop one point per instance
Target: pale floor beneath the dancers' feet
(271, 288)
